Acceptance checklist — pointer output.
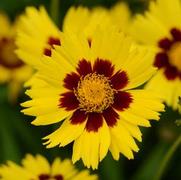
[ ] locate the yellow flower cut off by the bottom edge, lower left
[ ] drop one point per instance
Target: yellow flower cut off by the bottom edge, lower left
(38, 168)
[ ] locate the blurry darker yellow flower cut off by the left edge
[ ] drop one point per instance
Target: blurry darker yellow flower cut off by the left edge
(12, 70)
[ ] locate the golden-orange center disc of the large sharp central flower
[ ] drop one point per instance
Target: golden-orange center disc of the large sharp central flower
(94, 93)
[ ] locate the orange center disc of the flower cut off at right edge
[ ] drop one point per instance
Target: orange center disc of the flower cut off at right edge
(175, 55)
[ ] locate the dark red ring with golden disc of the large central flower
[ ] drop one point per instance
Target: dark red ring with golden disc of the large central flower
(94, 92)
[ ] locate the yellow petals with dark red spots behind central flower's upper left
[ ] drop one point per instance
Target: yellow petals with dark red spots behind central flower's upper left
(37, 35)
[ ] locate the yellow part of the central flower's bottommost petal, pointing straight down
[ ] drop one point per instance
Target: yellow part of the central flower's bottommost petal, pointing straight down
(91, 146)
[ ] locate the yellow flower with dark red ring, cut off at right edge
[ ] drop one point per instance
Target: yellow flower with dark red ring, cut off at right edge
(160, 28)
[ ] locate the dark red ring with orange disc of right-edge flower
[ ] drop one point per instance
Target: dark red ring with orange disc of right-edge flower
(169, 58)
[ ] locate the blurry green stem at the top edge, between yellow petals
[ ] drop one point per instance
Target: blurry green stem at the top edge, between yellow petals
(54, 10)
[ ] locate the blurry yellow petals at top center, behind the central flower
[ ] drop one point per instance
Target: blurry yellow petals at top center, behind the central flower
(83, 20)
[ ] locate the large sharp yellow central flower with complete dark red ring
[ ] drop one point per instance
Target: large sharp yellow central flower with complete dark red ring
(92, 91)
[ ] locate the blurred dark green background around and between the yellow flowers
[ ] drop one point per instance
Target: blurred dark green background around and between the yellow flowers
(18, 137)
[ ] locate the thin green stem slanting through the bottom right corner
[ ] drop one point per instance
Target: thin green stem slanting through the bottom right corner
(167, 158)
